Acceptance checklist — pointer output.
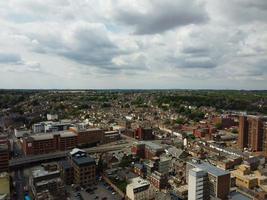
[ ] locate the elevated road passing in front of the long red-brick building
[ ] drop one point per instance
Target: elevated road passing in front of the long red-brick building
(29, 160)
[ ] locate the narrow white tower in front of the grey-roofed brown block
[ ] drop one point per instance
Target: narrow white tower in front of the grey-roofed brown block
(197, 184)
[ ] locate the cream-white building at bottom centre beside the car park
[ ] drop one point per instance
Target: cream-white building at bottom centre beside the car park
(139, 189)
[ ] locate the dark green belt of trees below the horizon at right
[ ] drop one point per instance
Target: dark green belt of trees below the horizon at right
(251, 102)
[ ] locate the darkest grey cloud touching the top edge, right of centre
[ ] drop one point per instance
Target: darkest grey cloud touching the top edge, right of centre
(163, 15)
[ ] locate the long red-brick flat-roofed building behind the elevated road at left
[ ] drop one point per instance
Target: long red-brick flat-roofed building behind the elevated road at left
(49, 142)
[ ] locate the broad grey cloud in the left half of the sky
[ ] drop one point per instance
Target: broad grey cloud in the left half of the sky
(86, 44)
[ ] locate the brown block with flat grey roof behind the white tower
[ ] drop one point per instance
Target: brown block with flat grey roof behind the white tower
(218, 179)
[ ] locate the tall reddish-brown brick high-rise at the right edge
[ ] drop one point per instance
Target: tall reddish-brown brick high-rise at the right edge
(251, 132)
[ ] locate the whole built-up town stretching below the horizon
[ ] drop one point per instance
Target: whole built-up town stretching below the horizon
(133, 144)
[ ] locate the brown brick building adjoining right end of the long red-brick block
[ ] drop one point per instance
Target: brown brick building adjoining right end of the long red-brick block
(89, 137)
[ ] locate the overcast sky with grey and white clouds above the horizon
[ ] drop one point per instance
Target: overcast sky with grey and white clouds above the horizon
(133, 44)
